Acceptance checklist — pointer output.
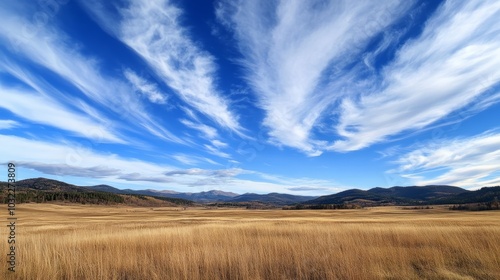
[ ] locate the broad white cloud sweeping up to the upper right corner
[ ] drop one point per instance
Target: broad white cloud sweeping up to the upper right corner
(452, 64)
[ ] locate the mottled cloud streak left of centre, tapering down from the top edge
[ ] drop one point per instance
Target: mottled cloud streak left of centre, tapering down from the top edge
(153, 29)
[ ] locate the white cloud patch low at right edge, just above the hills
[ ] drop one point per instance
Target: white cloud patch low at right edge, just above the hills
(467, 162)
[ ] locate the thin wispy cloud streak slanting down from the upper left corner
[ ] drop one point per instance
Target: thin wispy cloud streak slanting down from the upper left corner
(50, 48)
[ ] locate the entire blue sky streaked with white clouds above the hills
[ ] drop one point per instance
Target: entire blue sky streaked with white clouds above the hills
(300, 97)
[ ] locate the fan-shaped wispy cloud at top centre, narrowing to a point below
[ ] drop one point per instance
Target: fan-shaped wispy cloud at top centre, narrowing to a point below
(289, 51)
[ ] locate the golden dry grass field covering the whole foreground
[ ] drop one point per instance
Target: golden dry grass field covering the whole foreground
(102, 242)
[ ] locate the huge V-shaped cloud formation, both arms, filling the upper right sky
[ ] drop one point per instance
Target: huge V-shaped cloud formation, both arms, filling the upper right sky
(310, 65)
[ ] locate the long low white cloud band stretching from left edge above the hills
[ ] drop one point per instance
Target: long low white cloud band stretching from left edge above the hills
(70, 159)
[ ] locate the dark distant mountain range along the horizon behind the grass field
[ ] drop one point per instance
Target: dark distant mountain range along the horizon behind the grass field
(47, 190)
